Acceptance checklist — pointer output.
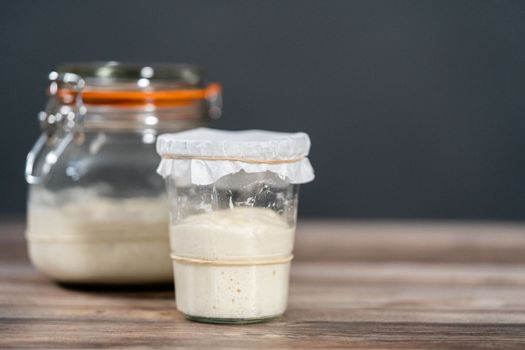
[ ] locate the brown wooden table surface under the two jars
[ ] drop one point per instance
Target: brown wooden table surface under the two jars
(354, 285)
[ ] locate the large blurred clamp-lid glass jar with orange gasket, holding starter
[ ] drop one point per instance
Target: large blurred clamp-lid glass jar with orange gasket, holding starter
(97, 212)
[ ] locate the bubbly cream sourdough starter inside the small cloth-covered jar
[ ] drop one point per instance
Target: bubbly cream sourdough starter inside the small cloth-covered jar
(225, 291)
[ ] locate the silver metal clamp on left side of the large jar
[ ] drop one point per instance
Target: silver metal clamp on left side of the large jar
(61, 123)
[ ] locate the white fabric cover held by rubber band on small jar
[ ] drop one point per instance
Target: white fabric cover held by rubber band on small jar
(249, 144)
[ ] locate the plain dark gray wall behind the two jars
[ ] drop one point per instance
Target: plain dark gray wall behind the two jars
(416, 109)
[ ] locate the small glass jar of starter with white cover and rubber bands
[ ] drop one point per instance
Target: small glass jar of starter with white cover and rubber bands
(233, 219)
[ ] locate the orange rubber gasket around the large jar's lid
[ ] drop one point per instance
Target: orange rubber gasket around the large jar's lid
(162, 98)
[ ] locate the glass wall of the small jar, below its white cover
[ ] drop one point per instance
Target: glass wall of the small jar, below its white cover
(242, 227)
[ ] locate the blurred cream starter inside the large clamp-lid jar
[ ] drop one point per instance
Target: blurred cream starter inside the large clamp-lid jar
(93, 239)
